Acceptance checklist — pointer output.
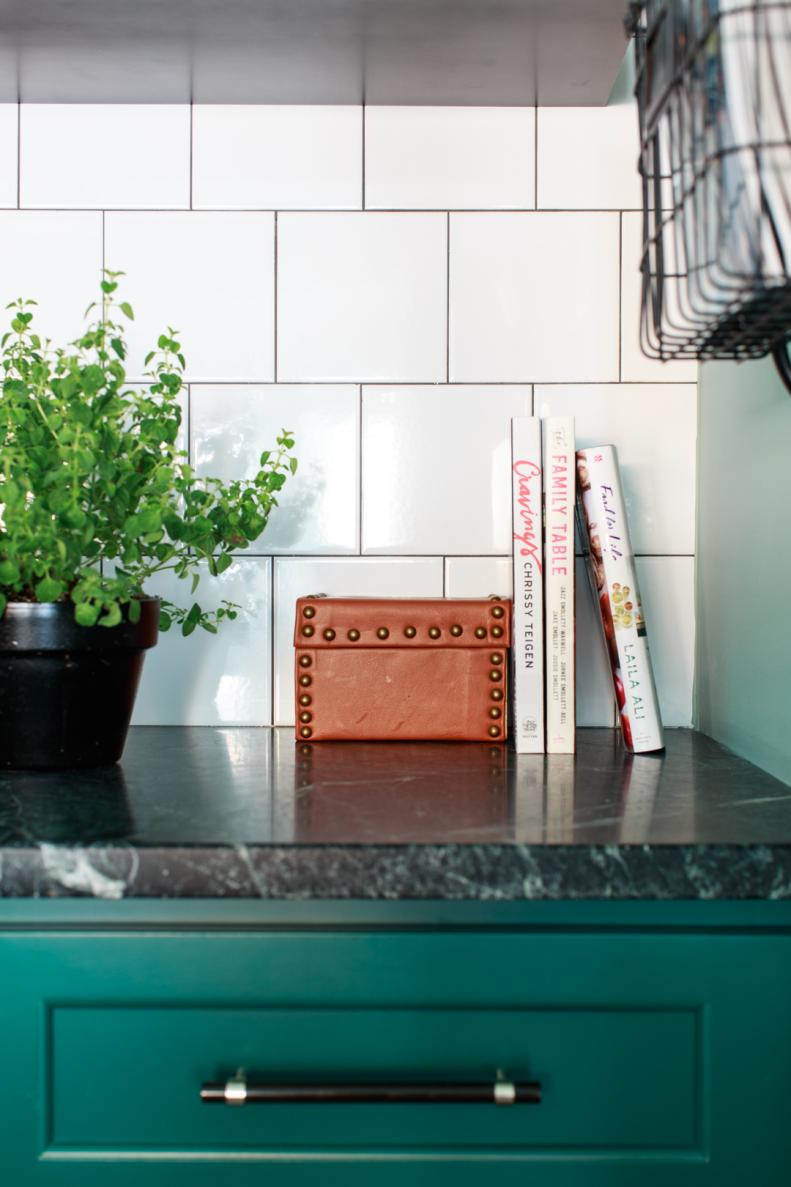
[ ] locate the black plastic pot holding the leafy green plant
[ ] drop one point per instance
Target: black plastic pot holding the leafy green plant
(67, 693)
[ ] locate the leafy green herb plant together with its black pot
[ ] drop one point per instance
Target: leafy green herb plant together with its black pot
(96, 499)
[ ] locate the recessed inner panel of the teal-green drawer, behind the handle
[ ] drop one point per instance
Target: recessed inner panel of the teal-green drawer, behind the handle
(612, 1080)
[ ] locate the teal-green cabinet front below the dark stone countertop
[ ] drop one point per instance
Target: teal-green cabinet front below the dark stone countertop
(663, 1049)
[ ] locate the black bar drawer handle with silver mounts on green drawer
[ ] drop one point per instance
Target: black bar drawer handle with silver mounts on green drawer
(238, 1091)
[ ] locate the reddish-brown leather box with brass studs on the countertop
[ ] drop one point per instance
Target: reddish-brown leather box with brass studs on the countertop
(395, 669)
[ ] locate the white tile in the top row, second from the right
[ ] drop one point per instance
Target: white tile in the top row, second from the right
(458, 158)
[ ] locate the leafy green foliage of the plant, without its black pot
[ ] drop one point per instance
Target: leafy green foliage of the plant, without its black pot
(96, 497)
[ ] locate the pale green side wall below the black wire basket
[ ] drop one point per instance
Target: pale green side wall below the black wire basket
(744, 563)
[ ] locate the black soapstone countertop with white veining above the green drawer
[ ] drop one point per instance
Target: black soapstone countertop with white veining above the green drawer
(245, 814)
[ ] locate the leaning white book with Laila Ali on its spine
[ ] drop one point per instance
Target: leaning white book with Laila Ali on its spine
(613, 575)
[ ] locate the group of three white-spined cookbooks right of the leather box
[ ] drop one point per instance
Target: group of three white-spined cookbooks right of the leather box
(548, 478)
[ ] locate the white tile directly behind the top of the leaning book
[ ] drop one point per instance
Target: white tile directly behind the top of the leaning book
(655, 430)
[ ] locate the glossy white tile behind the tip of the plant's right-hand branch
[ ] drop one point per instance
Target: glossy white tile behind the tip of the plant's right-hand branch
(319, 507)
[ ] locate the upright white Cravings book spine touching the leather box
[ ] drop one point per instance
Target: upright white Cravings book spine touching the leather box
(528, 649)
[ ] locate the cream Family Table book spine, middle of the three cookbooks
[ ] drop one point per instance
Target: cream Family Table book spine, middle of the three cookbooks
(559, 583)
